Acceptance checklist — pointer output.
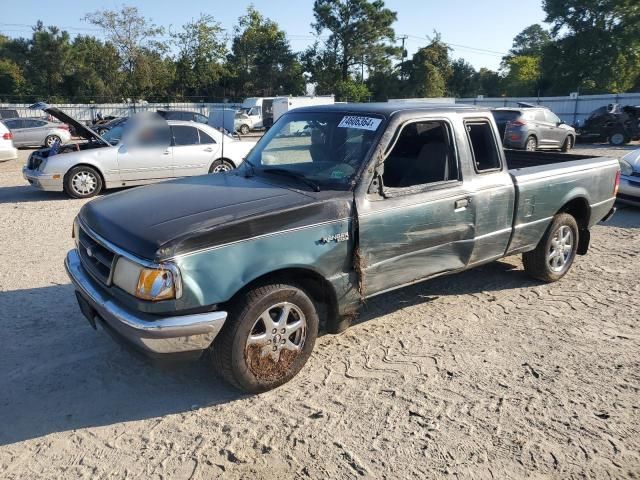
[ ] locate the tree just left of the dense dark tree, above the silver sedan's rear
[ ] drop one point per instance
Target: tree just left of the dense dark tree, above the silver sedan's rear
(202, 52)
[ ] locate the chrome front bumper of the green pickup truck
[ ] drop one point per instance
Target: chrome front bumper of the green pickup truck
(152, 334)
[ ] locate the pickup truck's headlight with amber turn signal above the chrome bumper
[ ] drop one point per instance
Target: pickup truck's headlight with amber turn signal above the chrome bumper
(152, 284)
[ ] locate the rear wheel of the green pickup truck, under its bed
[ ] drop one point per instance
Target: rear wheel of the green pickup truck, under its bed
(556, 251)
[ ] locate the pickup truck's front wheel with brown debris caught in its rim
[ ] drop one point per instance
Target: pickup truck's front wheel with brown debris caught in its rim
(251, 352)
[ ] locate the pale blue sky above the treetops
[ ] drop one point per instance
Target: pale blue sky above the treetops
(480, 31)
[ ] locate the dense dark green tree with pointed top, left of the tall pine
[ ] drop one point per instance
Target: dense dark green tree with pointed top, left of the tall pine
(261, 60)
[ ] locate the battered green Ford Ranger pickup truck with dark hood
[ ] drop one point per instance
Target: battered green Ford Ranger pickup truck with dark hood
(334, 205)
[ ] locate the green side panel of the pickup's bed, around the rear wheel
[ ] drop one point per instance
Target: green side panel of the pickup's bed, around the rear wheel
(542, 191)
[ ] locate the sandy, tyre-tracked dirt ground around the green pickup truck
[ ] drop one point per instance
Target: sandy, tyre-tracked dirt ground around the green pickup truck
(486, 374)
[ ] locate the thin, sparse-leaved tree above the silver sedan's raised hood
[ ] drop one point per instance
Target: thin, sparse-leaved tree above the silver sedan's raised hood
(134, 37)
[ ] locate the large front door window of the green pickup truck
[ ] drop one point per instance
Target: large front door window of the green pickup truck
(423, 154)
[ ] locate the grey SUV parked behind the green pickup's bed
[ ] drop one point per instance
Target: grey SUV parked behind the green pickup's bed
(532, 128)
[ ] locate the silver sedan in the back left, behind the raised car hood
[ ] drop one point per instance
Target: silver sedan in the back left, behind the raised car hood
(35, 132)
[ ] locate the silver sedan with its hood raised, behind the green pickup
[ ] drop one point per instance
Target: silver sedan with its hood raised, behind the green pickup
(106, 161)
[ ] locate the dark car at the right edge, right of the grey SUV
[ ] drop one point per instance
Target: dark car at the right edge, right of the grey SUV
(613, 123)
